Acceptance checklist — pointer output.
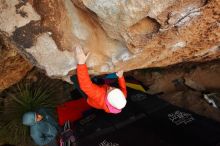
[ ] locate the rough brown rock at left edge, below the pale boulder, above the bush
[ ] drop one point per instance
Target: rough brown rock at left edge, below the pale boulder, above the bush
(13, 67)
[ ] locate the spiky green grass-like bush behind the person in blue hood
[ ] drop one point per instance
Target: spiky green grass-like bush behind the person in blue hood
(22, 98)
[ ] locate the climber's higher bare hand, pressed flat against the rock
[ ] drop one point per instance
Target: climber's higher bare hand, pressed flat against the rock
(81, 57)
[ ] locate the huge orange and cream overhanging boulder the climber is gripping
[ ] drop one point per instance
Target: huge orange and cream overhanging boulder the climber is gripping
(125, 34)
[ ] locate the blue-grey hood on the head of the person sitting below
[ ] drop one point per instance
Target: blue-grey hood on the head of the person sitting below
(29, 118)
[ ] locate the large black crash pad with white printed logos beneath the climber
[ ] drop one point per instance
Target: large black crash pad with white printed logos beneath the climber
(160, 124)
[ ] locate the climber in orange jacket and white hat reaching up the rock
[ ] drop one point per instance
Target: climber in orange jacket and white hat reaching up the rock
(110, 99)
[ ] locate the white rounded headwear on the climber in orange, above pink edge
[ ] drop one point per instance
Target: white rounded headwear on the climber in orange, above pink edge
(116, 98)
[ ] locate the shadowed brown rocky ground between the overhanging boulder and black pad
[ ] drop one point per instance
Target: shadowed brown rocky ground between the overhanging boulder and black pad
(199, 77)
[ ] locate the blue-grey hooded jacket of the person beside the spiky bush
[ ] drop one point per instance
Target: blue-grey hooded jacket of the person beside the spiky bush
(42, 132)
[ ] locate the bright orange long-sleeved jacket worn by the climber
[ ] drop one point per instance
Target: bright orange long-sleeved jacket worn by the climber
(96, 94)
